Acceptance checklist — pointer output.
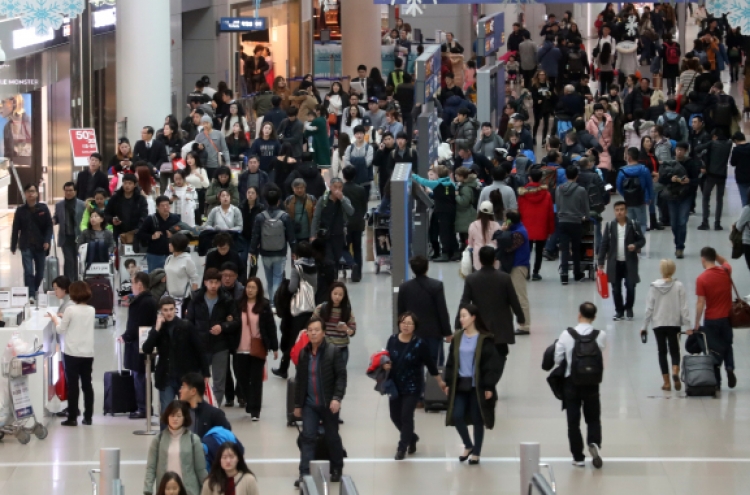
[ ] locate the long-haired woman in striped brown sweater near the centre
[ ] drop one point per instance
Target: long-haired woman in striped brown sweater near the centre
(338, 317)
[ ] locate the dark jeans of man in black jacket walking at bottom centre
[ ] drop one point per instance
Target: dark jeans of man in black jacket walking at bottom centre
(312, 417)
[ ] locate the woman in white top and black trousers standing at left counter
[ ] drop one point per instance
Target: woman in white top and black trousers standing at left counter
(77, 326)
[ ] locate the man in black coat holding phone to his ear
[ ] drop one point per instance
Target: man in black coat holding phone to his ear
(180, 351)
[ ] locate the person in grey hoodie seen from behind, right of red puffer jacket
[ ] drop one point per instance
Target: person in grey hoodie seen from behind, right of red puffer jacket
(572, 201)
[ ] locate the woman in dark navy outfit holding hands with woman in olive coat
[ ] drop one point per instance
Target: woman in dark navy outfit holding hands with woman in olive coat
(409, 354)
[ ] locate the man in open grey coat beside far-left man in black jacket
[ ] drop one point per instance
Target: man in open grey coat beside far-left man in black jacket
(68, 215)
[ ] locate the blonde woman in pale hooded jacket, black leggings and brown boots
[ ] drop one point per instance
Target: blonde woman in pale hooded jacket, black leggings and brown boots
(667, 311)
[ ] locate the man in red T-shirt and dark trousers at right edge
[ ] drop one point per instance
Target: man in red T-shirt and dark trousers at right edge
(714, 290)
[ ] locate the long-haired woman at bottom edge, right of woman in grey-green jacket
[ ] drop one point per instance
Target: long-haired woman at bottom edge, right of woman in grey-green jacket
(230, 474)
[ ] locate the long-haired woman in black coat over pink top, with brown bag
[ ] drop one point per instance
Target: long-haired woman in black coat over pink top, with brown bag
(256, 339)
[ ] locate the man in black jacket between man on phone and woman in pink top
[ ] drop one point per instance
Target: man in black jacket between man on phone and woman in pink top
(214, 314)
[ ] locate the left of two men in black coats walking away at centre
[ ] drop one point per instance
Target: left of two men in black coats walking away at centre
(425, 297)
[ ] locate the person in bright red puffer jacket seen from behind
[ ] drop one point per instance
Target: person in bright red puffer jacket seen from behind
(537, 215)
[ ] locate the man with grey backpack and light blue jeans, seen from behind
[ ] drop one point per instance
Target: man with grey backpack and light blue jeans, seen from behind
(272, 231)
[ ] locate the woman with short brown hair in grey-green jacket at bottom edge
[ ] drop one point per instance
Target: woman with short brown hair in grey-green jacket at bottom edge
(176, 449)
